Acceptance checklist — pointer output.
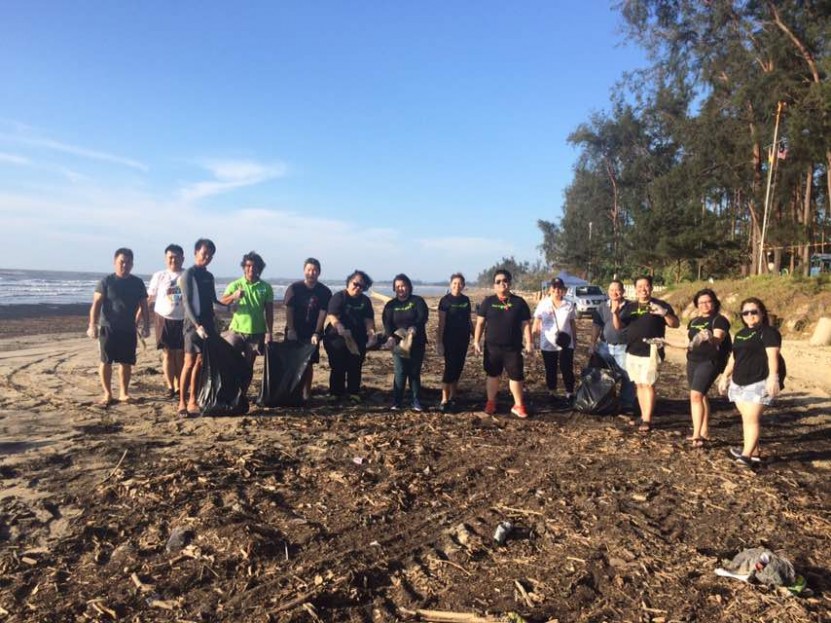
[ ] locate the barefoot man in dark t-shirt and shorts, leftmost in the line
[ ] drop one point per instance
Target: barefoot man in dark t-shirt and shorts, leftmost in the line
(112, 320)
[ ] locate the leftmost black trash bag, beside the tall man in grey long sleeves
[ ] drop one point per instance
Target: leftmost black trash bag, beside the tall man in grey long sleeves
(223, 377)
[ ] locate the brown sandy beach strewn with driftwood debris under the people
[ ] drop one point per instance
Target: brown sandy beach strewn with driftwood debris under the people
(336, 513)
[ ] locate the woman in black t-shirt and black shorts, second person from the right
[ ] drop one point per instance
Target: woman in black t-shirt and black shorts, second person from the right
(706, 333)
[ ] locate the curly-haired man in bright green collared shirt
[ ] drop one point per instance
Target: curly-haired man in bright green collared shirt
(253, 318)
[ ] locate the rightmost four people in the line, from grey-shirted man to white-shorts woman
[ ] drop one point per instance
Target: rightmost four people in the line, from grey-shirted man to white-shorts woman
(748, 367)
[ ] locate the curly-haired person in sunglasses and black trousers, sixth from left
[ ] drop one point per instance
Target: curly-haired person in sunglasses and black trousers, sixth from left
(351, 330)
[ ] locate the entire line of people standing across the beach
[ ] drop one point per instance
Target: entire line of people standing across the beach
(627, 334)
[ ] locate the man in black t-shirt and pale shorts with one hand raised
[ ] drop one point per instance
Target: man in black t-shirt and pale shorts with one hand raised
(645, 320)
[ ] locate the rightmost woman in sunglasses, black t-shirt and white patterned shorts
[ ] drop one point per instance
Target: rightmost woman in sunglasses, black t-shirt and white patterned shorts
(751, 379)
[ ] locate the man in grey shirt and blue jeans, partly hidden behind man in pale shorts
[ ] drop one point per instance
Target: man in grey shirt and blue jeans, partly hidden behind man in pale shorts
(609, 343)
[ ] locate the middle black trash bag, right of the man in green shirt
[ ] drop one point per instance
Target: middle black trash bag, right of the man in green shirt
(285, 363)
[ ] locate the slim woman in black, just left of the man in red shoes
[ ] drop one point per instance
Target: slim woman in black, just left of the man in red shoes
(453, 339)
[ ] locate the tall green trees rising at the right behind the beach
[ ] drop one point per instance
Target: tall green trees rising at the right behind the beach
(673, 178)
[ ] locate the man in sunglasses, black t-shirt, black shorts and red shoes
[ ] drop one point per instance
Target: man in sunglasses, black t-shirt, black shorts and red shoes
(505, 318)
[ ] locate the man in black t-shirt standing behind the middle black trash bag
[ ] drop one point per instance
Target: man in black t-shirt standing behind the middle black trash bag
(306, 304)
